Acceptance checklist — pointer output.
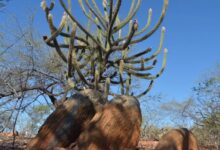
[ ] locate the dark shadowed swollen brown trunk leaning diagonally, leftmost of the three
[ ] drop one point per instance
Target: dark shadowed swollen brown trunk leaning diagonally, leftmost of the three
(66, 123)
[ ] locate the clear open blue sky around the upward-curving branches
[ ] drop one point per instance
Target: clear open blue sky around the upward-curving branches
(192, 37)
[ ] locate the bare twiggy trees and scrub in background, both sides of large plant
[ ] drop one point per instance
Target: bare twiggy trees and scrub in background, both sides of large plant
(27, 64)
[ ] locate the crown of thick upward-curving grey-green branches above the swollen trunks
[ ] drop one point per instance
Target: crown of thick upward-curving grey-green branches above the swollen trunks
(98, 54)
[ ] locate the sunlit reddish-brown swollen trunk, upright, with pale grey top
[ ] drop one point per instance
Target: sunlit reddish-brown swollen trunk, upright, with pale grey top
(115, 127)
